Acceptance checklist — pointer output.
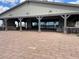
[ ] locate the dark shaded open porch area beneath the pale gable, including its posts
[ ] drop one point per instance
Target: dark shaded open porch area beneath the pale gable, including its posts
(64, 23)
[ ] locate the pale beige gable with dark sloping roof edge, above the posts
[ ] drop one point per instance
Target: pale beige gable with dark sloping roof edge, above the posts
(71, 9)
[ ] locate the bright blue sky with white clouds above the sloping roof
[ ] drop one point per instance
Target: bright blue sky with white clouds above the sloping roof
(6, 4)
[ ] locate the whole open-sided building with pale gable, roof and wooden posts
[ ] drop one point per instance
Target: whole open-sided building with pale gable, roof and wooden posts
(42, 16)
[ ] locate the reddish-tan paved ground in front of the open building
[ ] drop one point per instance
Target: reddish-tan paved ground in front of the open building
(35, 45)
